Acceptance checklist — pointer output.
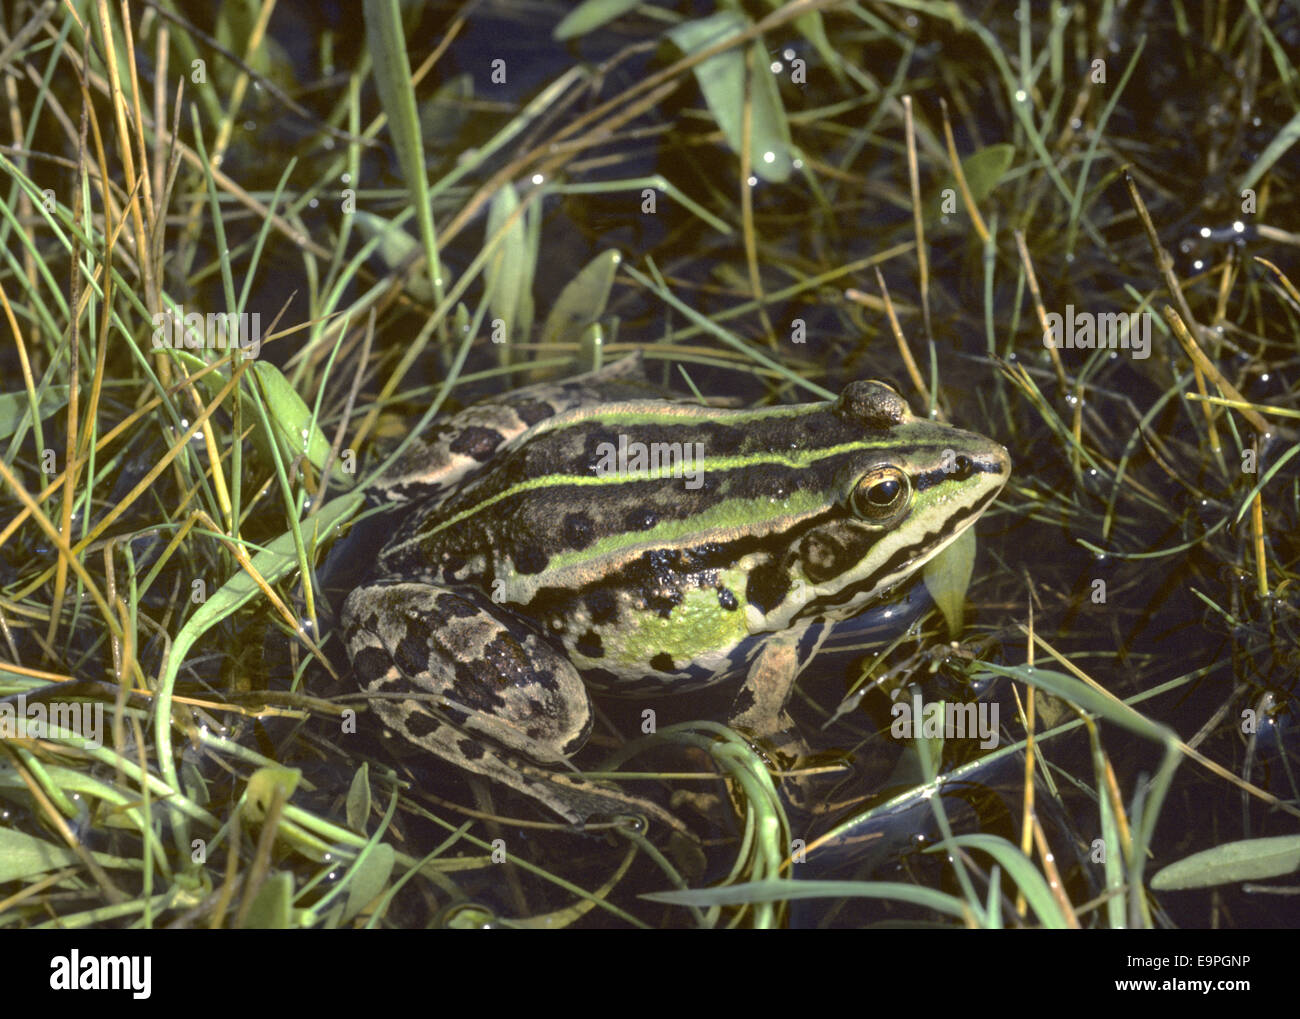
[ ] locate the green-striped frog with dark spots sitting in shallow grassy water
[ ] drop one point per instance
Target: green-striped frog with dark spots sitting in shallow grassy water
(593, 536)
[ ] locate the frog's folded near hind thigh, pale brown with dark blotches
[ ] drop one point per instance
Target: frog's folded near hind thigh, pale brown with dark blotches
(489, 673)
